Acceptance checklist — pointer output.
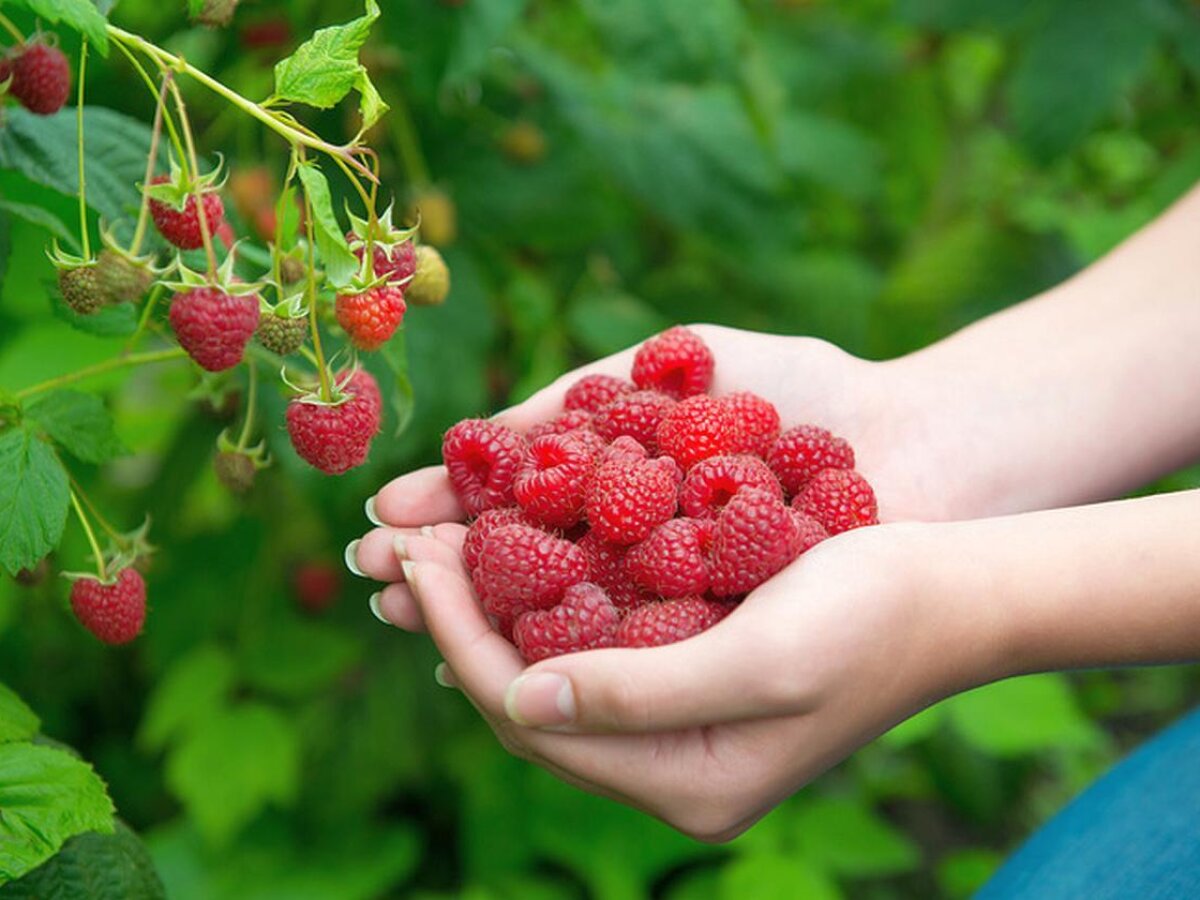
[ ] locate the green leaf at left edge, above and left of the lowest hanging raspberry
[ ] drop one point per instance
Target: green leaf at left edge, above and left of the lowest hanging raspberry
(34, 499)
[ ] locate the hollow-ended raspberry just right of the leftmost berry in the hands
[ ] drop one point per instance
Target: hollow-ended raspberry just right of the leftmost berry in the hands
(553, 482)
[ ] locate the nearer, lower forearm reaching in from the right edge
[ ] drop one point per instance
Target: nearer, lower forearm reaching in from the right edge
(1115, 584)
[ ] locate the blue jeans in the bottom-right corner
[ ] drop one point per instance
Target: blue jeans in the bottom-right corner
(1132, 836)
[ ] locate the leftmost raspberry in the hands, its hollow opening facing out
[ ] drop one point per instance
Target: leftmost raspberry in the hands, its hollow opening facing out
(483, 459)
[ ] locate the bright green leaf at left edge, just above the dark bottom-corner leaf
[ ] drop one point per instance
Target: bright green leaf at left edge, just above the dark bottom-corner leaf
(47, 796)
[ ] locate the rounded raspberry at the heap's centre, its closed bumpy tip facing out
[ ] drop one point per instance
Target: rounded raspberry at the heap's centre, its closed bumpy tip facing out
(627, 501)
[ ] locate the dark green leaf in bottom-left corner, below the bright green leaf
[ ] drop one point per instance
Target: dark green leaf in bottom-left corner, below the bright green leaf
(94, 867)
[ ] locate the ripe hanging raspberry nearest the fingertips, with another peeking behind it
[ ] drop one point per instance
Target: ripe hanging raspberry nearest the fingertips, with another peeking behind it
(337, 437)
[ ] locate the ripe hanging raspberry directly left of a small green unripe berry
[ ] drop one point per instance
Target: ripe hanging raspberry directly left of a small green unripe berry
(214, 327)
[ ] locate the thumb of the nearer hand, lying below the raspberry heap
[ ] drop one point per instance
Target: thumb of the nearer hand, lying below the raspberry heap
(723, 675)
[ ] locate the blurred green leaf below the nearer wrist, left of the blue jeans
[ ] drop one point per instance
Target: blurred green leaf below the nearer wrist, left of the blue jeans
(848, 838)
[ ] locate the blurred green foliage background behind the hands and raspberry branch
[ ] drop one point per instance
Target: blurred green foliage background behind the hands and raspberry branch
(877, 173)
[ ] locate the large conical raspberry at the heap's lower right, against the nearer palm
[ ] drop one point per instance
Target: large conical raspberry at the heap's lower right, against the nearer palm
(757, 536)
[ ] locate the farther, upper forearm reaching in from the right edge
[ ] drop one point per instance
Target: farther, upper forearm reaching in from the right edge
(1078, 395)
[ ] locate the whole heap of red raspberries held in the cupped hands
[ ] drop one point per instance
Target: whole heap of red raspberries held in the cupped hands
(649, 509)
